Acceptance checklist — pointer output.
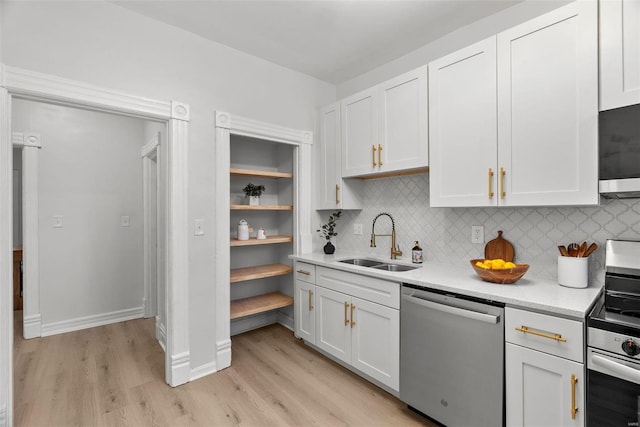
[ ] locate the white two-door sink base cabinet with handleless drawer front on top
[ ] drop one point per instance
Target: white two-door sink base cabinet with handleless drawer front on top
(354, 325)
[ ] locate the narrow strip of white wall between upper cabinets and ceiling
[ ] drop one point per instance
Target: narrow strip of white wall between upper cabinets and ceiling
(453, 41)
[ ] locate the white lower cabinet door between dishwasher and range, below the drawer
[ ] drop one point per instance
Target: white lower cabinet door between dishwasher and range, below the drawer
(539, 389)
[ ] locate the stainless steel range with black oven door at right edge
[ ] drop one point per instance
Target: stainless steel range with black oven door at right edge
(613, 353)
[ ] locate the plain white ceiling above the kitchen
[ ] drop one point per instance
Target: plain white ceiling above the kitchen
(331, 40)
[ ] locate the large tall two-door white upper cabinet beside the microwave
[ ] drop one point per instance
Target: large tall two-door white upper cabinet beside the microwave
(545, 151)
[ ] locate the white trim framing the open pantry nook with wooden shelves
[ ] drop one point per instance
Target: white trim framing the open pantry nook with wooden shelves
(227, 125)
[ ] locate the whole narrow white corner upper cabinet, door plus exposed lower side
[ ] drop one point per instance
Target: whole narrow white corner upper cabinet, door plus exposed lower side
(334, 192)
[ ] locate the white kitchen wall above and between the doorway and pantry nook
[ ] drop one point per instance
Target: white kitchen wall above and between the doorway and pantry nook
(101, 43)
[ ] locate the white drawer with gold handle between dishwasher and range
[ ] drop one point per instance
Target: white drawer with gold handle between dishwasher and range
(542, 331)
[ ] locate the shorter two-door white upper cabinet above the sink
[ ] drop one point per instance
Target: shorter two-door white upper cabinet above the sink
(384, 129)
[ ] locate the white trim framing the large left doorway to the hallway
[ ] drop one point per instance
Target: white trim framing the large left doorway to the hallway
(43, 87)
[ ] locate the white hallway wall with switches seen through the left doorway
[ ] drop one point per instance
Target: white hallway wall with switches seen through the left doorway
(90, 173)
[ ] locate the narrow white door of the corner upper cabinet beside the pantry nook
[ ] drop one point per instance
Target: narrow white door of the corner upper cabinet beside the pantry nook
(329, 157)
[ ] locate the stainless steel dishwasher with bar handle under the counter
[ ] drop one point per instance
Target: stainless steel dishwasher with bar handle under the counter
(452, 357)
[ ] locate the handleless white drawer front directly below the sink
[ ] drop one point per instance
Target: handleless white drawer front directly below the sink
(365, 287)
